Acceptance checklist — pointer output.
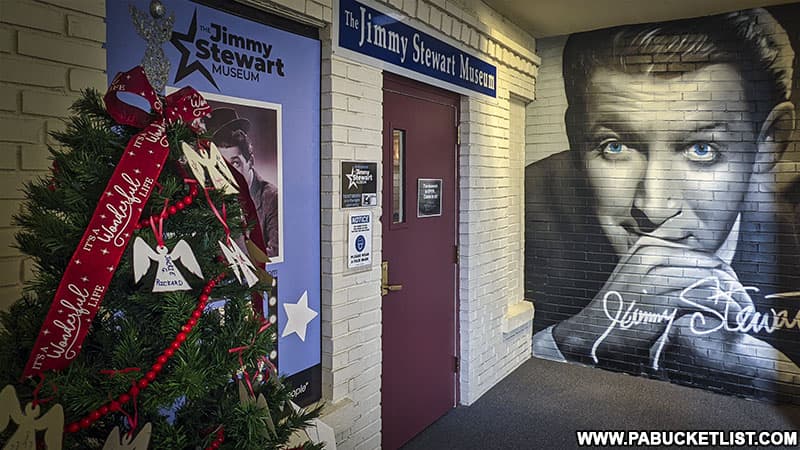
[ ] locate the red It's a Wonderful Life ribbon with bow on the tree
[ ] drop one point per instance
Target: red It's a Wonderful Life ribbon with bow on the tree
(95, 260)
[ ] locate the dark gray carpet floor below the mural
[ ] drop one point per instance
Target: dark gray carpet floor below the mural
(543, 403)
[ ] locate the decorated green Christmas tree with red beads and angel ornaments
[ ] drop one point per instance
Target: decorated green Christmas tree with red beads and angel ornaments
(167, 358)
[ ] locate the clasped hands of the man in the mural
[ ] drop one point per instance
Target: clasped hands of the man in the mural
(654, 286)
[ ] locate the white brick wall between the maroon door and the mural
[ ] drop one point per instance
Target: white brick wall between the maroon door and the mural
(490, 235)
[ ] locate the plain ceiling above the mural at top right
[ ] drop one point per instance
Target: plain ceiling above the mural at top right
(543, 18)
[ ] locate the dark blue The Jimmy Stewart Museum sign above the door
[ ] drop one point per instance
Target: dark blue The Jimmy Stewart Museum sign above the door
(368, 31)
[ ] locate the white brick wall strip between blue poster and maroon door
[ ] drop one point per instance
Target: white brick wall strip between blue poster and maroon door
(351, 303)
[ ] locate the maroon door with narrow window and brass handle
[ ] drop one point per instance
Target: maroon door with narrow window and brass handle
(419, 243)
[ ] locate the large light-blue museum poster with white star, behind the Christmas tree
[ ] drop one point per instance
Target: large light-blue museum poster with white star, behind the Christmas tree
(264, 83)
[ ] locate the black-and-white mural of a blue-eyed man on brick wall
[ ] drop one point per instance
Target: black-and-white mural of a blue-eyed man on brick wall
(665, 240)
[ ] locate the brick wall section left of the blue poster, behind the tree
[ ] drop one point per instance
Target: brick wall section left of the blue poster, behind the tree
(49, 51)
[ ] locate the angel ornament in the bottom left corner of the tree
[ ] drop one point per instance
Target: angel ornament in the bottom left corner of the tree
(29, 422)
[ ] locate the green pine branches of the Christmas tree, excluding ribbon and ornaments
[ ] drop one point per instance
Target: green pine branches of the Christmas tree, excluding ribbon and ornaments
(194, 393)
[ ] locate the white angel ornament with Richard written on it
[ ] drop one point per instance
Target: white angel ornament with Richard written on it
(168, 277)
